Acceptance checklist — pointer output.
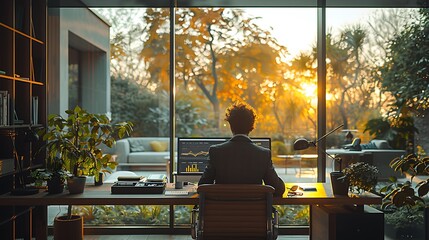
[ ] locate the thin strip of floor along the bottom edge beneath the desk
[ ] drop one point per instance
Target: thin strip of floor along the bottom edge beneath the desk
(164, 237)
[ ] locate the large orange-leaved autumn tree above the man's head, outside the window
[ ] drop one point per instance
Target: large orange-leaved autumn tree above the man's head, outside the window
(219, 51)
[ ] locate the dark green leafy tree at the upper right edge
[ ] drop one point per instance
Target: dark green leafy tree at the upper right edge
(406, 73)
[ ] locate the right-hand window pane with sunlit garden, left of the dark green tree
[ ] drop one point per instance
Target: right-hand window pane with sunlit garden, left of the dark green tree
(358, 92)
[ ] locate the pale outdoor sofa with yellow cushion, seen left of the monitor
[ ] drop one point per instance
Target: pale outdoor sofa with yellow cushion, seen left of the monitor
(142, 152)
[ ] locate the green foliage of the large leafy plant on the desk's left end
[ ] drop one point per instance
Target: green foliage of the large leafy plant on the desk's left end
(78, 140)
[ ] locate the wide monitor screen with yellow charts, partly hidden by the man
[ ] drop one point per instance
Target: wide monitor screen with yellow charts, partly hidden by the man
(193, 153)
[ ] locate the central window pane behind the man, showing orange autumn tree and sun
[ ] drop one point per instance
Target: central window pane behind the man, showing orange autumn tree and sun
(253, 55)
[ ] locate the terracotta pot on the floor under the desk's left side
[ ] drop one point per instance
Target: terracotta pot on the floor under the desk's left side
(68, 229)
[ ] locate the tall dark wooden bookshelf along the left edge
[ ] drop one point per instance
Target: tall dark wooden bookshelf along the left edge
(23, 26)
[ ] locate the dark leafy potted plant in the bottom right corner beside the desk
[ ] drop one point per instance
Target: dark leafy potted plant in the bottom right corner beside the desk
(404, 202)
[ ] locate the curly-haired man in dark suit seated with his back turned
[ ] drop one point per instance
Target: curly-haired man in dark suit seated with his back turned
(239, 161)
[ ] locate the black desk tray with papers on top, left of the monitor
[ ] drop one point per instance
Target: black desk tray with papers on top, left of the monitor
(130, 187)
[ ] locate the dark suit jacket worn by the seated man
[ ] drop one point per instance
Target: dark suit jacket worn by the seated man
(239, 161)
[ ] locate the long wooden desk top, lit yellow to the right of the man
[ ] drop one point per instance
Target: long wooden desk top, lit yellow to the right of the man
(101, 195)
